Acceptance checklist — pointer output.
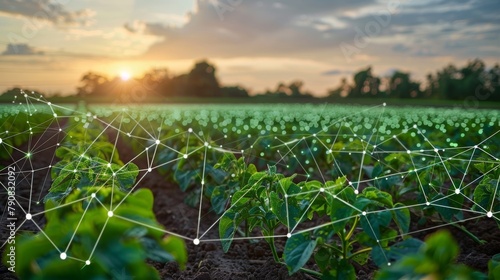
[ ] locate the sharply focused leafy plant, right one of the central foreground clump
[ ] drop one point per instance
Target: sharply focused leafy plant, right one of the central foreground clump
(340, 244)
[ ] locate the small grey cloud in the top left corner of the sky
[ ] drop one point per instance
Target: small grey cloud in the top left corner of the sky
(45, 10)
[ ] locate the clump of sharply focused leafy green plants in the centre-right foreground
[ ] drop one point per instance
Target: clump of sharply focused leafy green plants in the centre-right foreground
(270, 201)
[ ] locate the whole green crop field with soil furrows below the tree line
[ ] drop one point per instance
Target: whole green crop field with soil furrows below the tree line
(323, 191)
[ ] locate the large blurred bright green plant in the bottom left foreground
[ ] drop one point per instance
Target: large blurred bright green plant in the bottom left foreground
(83, 230)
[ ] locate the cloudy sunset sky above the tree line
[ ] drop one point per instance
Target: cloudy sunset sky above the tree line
(49, 44)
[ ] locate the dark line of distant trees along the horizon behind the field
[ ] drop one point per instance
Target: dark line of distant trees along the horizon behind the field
(473, 81)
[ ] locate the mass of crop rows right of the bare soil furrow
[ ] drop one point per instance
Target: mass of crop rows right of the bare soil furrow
(361, 176)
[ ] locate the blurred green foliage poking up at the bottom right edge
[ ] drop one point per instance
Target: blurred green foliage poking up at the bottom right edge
(435, 260)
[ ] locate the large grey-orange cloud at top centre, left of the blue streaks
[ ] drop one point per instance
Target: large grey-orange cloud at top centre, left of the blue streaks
(249, 28)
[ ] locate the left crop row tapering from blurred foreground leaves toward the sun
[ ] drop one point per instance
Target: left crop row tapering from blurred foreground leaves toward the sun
(96, 222)
